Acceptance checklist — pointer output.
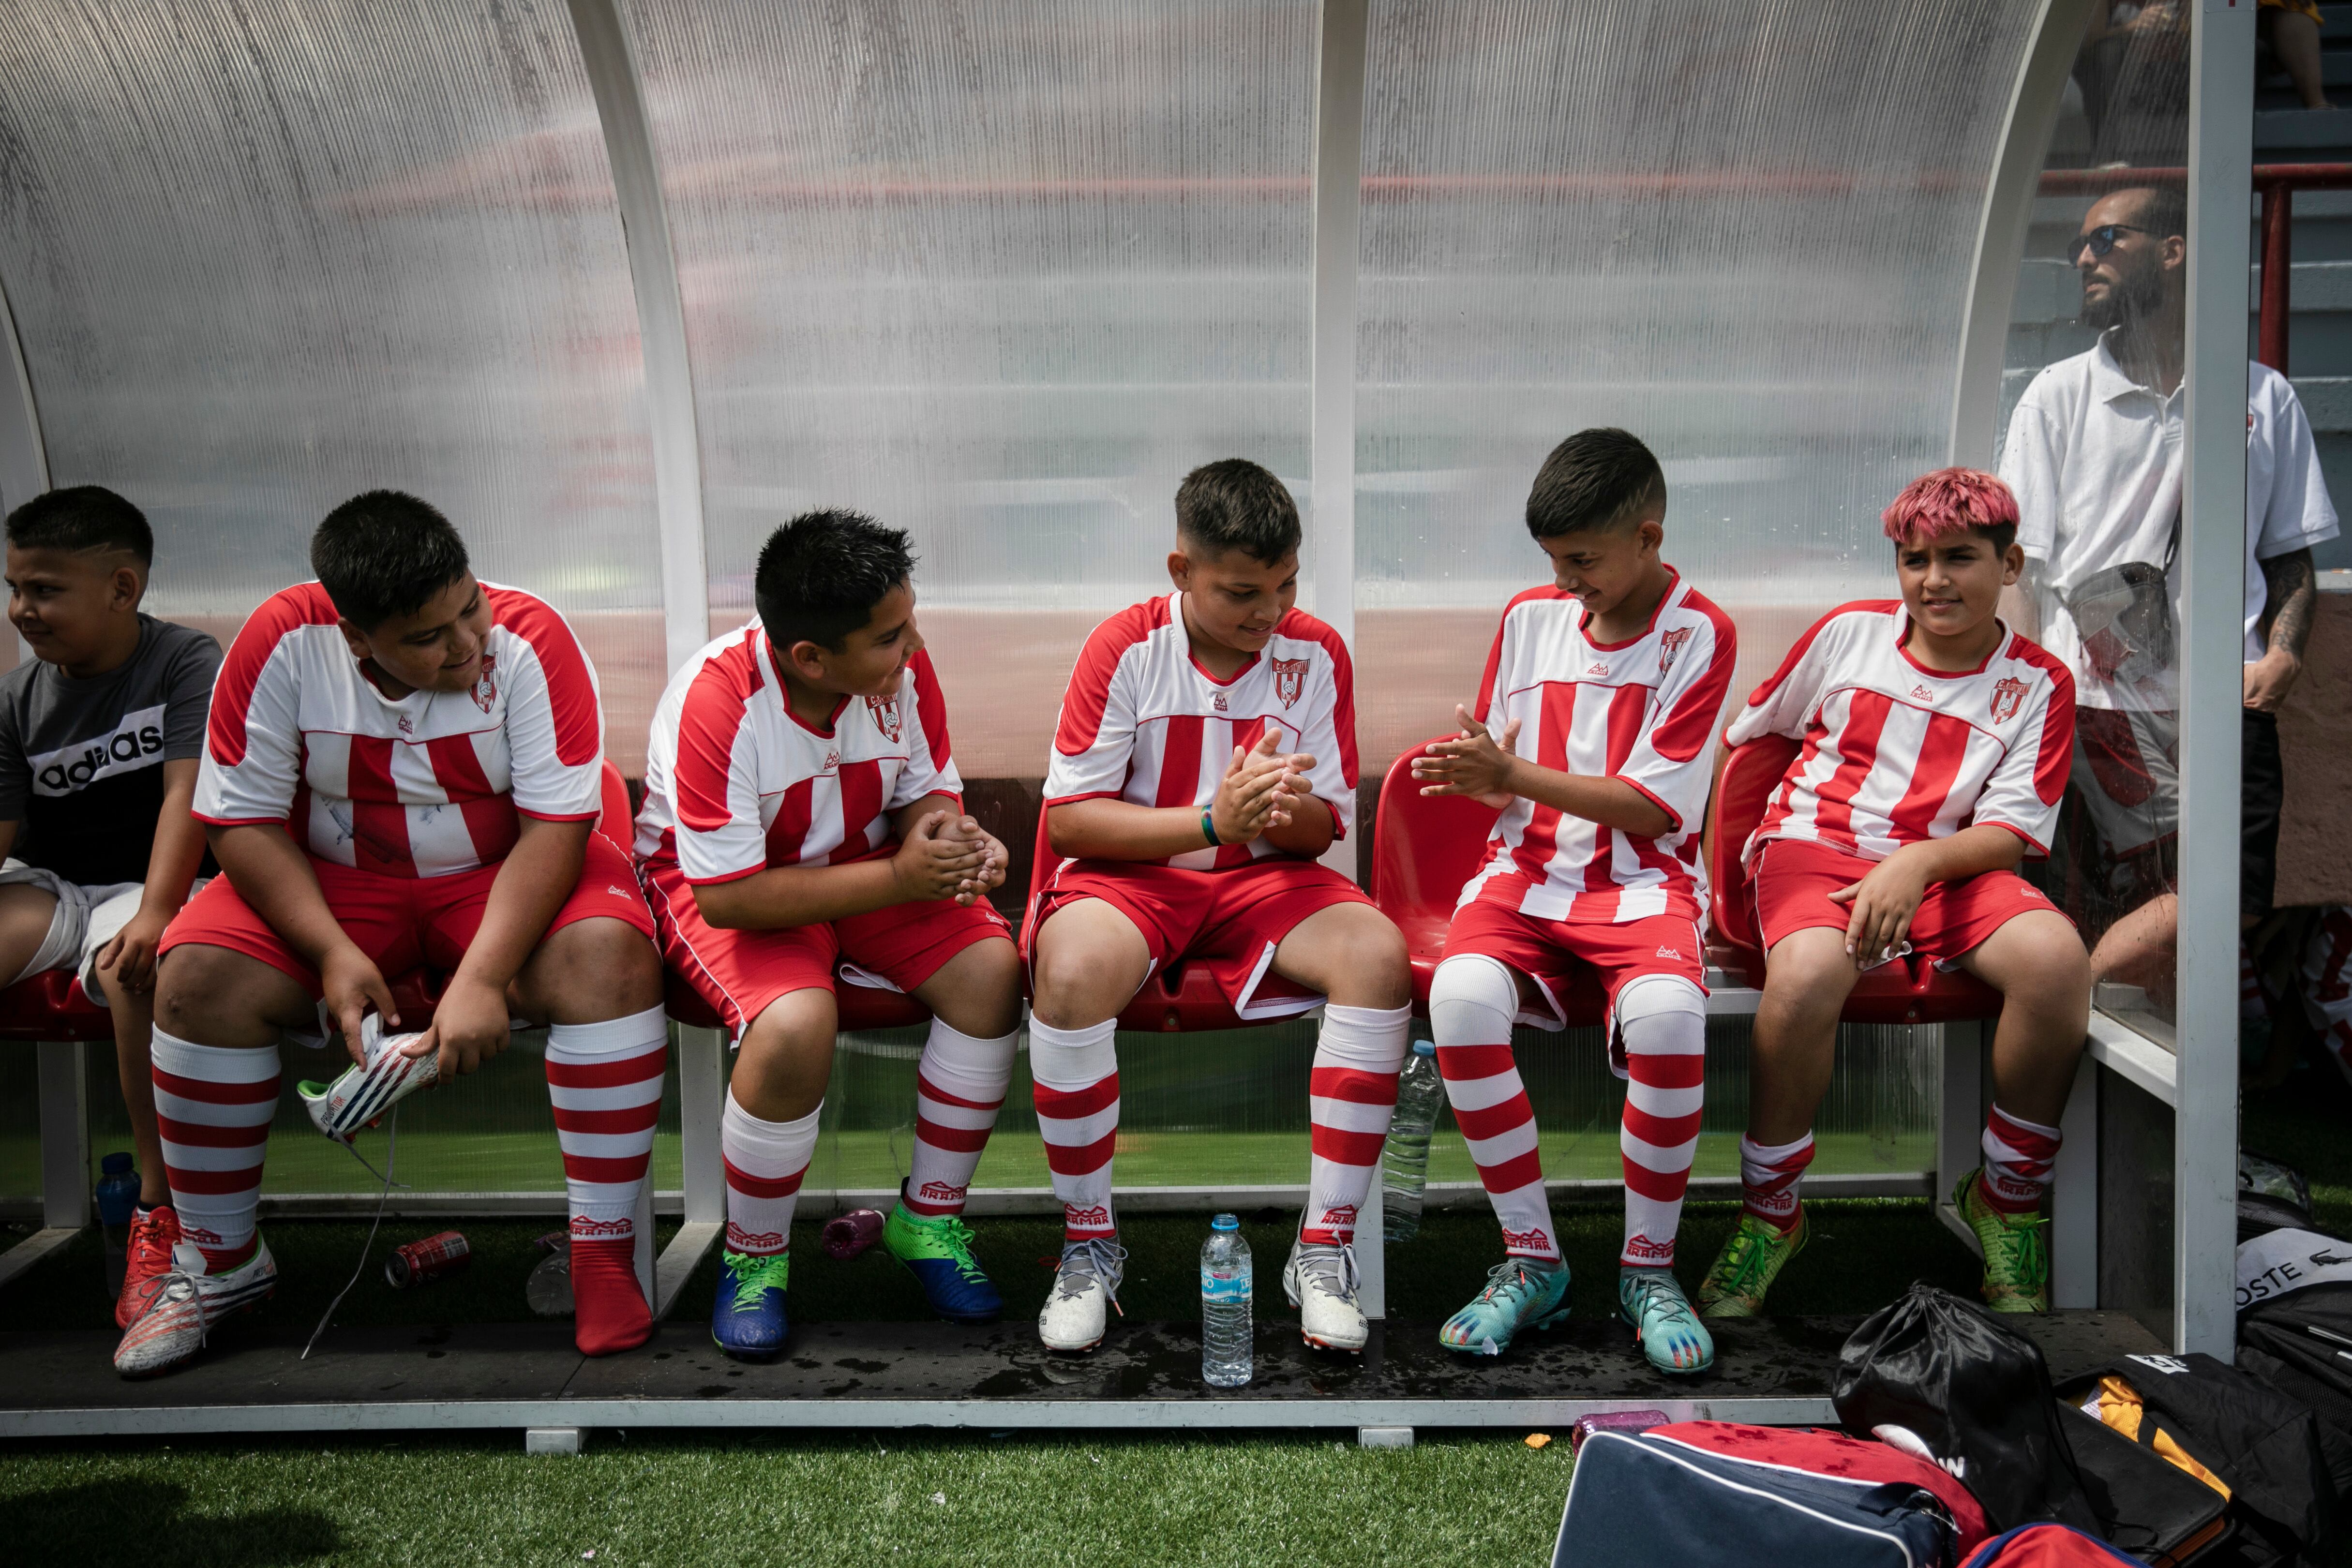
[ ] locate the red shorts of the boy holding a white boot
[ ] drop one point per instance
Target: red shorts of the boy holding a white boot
(403, 923)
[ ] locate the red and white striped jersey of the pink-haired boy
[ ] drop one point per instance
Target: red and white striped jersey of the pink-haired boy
(1897, 753)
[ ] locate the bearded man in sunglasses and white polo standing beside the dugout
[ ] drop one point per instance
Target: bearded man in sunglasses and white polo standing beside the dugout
(2094, 460)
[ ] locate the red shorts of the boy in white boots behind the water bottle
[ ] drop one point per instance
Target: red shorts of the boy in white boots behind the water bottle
(1229, 923)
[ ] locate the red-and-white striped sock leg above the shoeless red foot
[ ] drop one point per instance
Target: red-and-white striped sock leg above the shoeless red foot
(606, 1085)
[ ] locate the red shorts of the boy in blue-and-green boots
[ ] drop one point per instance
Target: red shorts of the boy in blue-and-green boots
(742, 972)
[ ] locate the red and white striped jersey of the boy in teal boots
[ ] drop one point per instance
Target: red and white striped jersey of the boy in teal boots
(1643, 711)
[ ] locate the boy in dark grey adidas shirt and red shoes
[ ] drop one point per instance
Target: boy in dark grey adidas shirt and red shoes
(100, 742)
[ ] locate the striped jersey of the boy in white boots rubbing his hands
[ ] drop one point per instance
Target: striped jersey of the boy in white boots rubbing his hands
(1144, 723)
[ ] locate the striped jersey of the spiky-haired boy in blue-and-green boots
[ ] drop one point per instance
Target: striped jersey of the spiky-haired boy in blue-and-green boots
(735, 782)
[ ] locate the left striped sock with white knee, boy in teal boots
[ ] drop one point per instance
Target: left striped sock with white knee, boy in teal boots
(1471, 1007)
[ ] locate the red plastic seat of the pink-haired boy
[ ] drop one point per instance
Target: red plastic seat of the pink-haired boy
(1906, 991)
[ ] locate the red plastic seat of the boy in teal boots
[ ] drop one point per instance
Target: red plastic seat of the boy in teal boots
(1424, 850)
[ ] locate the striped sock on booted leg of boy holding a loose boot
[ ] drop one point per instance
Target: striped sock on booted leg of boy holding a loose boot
(213, 1108)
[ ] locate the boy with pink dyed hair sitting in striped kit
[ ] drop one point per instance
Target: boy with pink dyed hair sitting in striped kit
(1935, 751)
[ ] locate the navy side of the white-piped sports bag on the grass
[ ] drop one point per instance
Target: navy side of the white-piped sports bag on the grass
(1657, 1501)
